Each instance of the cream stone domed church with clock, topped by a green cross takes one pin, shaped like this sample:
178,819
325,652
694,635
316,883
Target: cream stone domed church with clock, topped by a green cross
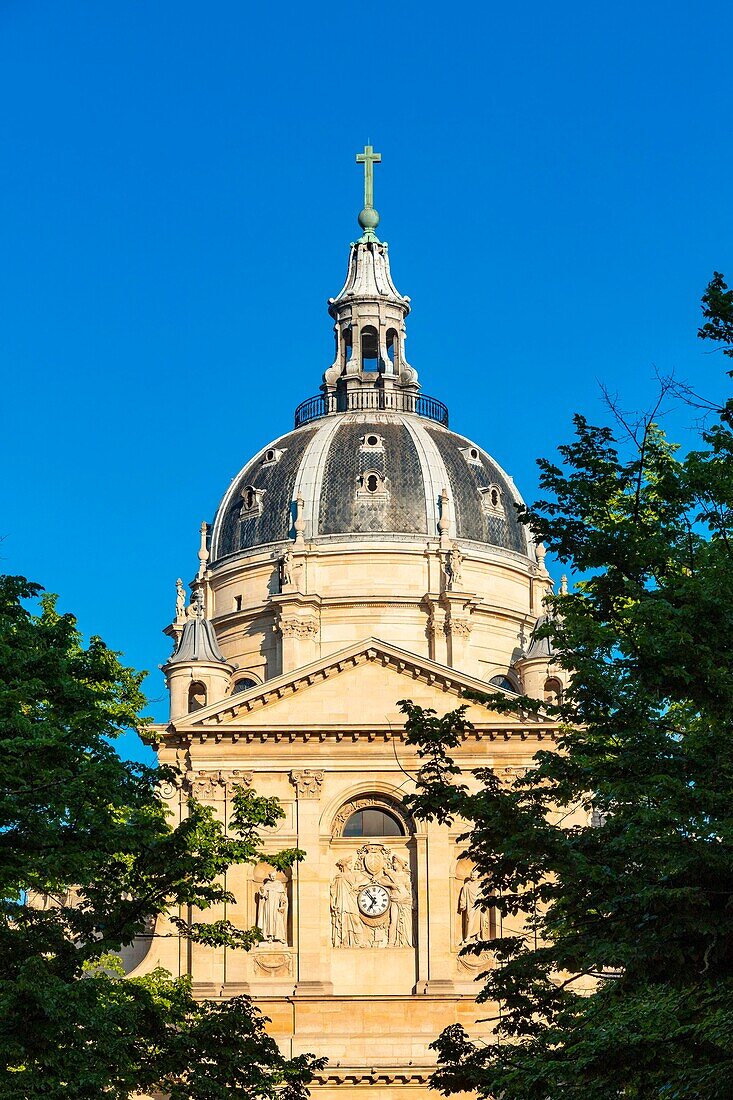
371,554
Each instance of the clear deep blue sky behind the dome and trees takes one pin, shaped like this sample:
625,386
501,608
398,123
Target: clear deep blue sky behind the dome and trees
179,193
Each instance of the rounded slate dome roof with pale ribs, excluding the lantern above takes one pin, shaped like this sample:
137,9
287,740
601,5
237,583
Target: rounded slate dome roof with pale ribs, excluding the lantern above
369,476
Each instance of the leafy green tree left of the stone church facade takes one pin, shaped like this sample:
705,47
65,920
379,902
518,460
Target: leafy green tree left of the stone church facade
87,855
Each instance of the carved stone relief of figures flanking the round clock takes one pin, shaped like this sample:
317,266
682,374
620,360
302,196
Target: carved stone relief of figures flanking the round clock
373,900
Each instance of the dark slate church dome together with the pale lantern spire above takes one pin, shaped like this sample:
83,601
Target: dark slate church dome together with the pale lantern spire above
371,457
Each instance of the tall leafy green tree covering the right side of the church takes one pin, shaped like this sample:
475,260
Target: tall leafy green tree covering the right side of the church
621,982
